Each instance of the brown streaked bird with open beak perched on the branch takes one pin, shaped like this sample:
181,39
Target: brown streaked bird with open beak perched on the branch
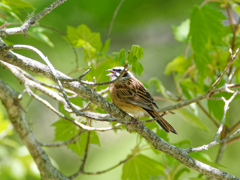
130,95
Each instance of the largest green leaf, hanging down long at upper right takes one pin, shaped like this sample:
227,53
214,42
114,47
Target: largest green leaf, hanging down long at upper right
205,26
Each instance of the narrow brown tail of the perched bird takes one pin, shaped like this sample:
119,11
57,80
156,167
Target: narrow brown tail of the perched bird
162,122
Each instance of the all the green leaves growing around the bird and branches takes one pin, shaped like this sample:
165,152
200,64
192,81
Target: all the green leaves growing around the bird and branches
207,43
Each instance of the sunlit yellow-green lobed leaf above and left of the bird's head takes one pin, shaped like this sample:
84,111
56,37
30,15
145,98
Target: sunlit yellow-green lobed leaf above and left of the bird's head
83,37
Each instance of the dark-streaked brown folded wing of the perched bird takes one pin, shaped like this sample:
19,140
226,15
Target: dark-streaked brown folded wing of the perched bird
134,92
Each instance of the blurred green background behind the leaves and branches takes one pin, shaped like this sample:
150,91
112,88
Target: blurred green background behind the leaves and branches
145,23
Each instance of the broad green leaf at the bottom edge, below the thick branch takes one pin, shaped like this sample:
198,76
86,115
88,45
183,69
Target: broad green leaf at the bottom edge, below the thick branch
141,168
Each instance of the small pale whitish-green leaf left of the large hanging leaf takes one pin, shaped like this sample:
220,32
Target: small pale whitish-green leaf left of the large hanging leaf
181,32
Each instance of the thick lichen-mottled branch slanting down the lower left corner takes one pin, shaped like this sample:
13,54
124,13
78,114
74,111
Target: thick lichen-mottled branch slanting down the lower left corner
9,98
